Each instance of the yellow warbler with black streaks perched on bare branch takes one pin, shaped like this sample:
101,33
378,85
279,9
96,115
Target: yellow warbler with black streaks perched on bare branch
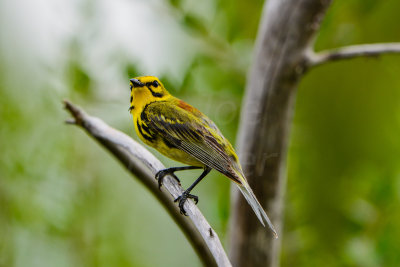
183,133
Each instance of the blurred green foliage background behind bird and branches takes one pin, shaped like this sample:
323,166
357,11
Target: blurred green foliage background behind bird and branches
65,202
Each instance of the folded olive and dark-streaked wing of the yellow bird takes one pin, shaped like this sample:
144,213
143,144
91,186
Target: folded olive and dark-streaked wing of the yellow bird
191,133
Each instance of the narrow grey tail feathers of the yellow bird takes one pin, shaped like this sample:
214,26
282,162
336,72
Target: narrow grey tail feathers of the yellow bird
255,205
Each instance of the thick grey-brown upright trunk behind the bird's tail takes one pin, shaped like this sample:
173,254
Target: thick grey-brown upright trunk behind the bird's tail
284,38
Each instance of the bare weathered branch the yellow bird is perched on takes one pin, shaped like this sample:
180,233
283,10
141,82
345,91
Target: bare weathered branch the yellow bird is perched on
144,165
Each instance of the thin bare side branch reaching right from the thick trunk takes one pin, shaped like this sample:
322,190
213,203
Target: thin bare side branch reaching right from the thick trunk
353,51
